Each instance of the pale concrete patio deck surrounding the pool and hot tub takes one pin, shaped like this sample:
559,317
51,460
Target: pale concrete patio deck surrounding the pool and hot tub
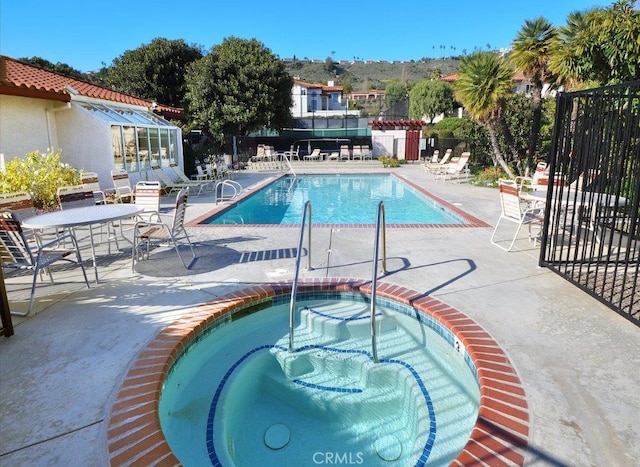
575,357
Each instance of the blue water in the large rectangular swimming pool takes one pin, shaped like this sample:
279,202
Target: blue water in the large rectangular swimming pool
337,199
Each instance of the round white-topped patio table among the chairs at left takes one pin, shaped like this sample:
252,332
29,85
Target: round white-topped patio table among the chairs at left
82,216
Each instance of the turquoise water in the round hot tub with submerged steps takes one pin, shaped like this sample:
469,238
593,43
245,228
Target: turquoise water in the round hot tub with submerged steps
239,397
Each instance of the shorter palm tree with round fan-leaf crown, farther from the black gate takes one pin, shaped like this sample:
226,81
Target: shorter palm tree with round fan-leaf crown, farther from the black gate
485,81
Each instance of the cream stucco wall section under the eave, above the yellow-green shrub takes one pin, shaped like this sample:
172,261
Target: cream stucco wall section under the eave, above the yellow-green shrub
25,125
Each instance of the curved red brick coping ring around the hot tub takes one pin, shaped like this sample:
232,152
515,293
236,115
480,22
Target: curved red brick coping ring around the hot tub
500,436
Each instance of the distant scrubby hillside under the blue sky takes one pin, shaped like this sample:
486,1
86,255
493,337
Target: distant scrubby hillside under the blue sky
376,73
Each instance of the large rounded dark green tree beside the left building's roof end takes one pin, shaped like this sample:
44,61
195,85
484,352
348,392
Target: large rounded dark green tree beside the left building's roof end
239,87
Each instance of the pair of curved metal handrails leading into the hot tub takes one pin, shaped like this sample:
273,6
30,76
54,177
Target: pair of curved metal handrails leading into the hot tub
380,230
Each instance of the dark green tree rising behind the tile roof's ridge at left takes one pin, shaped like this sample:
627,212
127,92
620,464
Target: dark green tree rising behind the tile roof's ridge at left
155,71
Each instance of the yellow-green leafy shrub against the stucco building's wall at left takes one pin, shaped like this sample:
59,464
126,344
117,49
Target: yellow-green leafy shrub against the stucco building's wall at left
39,174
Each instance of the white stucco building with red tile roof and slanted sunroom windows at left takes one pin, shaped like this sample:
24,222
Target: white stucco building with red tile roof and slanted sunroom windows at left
96,128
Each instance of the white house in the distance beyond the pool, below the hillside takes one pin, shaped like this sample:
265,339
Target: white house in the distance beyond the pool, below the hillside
318,100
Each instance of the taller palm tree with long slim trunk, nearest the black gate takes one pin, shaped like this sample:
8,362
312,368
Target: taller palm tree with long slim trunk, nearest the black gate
531,52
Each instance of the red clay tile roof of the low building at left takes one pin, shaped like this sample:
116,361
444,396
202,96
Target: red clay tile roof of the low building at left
23,79
